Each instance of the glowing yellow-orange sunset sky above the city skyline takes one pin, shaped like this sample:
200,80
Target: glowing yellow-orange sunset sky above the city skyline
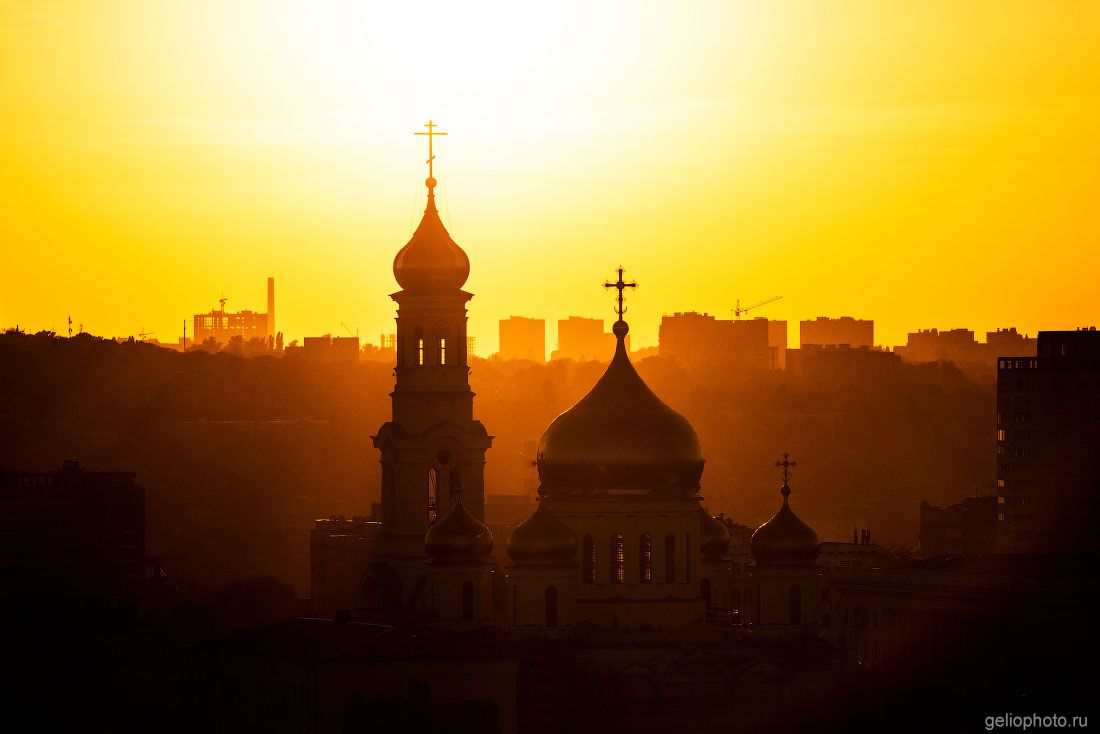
932,163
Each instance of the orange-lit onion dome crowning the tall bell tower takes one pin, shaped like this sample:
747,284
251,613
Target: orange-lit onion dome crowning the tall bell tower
432,261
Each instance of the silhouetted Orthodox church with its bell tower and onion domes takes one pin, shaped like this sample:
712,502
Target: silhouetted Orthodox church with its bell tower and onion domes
621,539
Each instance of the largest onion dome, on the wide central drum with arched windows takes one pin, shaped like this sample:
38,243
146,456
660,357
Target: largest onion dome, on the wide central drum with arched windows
621,436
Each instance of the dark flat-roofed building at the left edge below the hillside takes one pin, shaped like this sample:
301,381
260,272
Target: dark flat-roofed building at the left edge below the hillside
72,532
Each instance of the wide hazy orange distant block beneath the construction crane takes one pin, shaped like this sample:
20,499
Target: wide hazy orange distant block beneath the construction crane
697,339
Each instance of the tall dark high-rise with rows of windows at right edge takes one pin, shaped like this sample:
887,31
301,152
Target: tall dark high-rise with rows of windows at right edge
1049,446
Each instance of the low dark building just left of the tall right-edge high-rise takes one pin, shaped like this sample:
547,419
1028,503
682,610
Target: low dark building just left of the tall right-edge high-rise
967,529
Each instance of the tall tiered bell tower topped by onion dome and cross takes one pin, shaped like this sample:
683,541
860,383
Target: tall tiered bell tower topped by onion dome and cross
433,446
